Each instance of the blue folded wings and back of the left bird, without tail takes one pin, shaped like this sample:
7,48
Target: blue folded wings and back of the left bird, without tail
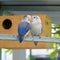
23,28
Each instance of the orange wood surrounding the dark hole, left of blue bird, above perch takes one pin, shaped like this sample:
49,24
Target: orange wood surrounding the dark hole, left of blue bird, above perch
15,21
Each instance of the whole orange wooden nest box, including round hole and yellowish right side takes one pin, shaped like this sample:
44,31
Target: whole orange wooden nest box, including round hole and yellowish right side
9,25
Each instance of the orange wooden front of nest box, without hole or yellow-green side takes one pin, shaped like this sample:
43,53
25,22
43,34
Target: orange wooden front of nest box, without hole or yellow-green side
13,30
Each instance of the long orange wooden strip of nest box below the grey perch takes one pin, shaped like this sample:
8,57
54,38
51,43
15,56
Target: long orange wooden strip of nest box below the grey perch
24,45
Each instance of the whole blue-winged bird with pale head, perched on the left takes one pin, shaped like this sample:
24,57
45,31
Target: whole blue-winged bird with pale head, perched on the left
24,27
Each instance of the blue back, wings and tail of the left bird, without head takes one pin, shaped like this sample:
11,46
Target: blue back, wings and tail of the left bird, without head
23,28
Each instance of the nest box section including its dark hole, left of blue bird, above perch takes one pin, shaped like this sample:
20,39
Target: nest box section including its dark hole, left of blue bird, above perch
9,24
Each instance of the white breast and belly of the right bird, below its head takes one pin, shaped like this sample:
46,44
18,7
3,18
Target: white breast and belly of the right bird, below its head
36,29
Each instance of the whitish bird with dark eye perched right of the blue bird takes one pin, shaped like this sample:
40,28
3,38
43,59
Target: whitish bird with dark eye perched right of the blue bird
36,27
